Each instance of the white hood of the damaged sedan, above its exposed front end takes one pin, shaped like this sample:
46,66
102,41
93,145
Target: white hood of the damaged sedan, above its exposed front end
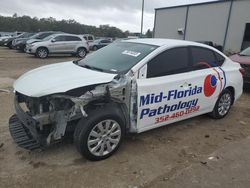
58,78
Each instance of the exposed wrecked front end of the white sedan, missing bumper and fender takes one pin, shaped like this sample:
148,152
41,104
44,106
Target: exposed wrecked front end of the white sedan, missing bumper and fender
39,122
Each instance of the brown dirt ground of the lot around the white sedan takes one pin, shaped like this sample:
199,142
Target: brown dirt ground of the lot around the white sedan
198,152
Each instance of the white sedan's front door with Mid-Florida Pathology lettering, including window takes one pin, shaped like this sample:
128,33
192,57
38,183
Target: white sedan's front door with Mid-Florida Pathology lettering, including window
172,90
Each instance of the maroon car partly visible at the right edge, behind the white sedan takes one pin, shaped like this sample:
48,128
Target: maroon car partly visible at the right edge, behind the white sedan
244,59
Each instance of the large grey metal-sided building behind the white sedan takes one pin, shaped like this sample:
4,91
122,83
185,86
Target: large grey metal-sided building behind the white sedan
225,23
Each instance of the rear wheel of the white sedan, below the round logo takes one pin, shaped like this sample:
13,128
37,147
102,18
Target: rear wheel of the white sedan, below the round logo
223,105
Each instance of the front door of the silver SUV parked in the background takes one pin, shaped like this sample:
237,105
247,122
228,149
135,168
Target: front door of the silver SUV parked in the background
57,44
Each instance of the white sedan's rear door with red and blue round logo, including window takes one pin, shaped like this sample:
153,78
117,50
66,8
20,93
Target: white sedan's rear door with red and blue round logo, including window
208,74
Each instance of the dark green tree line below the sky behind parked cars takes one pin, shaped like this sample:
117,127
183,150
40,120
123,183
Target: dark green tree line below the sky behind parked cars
28,24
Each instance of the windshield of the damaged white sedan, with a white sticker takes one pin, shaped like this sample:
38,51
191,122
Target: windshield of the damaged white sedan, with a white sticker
118,57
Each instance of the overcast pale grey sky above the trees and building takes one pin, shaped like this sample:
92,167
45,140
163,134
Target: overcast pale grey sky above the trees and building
124,14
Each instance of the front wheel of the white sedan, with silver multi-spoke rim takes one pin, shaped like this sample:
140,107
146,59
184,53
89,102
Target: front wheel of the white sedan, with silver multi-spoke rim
103,128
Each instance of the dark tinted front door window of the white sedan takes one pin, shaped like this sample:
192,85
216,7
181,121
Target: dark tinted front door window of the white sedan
172,61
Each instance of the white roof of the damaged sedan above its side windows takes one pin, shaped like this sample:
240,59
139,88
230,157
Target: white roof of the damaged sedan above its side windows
165,42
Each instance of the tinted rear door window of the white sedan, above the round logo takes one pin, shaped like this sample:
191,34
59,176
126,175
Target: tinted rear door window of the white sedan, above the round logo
202,58
